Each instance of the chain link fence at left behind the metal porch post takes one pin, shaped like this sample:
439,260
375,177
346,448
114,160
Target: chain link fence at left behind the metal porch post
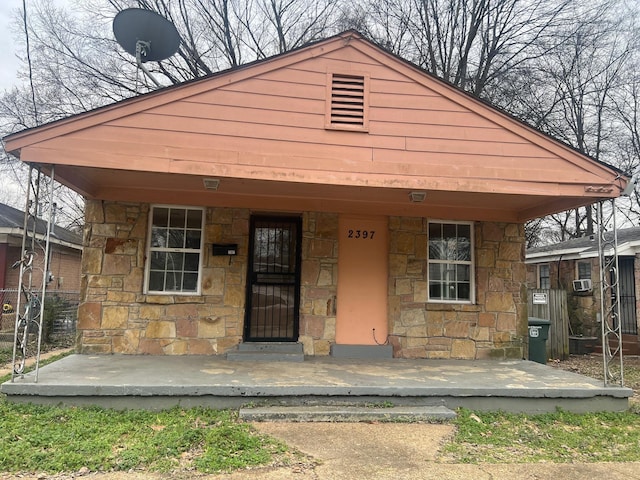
59,320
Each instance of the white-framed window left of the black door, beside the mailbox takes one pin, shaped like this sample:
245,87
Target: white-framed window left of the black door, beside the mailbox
175,250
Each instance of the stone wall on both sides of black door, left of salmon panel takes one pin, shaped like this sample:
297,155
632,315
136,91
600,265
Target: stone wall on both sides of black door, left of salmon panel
116,317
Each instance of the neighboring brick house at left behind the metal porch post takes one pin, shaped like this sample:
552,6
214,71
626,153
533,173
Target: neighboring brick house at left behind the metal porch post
65,252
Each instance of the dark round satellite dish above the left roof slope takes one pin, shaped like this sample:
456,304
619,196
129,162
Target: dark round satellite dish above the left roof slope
146,35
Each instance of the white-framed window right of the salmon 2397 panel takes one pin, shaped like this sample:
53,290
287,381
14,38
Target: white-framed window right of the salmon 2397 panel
450,266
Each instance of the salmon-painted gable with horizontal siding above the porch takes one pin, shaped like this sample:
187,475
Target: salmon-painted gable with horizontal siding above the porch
262,130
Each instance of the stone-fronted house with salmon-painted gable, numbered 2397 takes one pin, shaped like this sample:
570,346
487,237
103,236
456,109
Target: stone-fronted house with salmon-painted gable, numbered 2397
334,196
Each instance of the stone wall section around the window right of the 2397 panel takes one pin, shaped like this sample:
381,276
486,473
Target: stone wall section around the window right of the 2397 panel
495,327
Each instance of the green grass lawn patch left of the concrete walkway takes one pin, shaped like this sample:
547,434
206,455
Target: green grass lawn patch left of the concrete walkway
52,439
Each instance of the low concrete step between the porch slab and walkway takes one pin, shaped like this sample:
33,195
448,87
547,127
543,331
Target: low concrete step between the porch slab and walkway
325,413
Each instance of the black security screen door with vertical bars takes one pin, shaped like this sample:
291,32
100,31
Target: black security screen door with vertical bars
273,287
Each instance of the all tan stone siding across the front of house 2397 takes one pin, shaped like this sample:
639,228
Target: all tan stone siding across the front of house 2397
115,315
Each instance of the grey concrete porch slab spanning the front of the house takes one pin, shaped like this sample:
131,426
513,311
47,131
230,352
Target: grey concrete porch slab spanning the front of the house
155,382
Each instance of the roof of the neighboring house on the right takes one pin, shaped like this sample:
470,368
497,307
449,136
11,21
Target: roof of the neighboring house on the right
585,247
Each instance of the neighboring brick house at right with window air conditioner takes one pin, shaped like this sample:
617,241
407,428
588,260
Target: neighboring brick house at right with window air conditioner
573,266
